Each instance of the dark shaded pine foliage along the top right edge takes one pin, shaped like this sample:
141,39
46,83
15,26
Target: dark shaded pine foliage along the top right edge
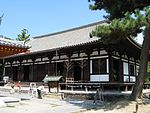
117,8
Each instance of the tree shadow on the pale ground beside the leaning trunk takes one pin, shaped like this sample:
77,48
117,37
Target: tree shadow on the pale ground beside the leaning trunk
114,103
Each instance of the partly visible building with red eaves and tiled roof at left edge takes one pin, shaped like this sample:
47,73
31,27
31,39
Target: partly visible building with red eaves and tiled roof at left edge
9,48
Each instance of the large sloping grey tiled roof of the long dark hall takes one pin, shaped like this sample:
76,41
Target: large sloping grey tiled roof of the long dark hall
72,37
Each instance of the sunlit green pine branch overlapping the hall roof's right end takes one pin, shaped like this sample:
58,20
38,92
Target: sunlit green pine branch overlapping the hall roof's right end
120,29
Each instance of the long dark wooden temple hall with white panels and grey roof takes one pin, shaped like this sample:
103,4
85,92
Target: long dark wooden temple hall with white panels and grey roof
75,56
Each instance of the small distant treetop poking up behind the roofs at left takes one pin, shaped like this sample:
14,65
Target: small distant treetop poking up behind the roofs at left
24,36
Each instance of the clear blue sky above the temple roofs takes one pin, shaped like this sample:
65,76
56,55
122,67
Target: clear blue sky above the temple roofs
41,17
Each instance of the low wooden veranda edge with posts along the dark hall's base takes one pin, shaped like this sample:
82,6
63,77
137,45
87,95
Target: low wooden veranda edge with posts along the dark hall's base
93,86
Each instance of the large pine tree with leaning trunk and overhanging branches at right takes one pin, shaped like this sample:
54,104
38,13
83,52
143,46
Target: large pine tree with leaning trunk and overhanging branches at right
122,25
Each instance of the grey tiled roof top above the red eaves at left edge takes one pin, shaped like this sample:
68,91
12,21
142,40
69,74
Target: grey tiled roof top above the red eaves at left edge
12,43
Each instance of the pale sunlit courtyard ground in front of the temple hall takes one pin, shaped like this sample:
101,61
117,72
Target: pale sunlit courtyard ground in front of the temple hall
24,103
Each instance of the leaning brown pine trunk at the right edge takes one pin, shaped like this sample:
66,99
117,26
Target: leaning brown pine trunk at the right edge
138,87
